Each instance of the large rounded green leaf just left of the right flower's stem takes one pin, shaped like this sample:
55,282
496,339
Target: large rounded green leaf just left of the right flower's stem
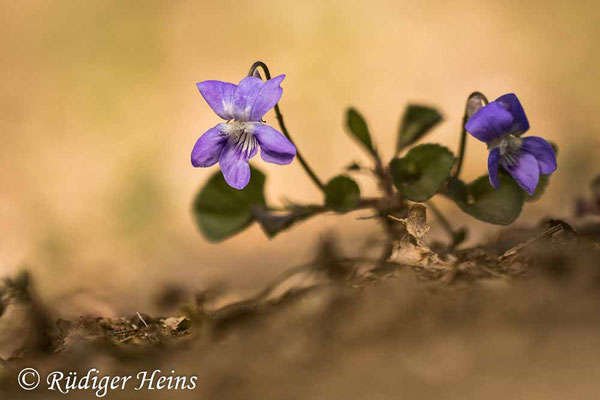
420,174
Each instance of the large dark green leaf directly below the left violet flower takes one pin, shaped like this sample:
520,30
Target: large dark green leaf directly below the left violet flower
222,211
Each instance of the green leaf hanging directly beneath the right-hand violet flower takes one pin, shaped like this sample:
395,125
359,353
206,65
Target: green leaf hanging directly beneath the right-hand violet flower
480,200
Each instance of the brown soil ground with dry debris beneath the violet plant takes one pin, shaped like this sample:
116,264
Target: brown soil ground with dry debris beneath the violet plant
515,319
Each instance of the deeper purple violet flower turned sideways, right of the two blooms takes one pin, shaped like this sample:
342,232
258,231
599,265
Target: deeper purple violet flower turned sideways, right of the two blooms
500,124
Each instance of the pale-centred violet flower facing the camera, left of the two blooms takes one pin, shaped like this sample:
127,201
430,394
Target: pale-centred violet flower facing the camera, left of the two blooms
233,143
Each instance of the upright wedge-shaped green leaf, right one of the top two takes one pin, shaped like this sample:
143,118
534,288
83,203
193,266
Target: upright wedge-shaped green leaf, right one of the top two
416,122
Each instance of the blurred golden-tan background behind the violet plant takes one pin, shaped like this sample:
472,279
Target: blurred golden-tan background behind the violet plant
99,112
